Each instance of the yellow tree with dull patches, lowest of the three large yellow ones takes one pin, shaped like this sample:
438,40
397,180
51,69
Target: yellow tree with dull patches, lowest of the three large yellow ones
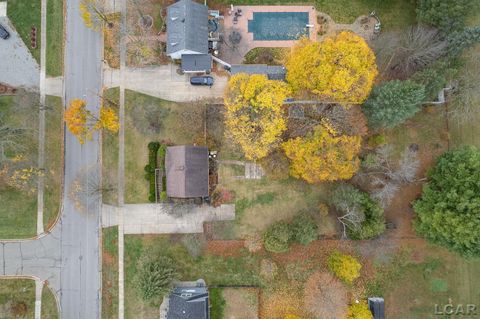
323,155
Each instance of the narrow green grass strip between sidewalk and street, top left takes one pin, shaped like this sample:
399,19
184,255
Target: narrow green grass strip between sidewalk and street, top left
55,37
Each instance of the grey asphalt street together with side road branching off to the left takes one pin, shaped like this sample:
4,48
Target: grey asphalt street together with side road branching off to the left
69,256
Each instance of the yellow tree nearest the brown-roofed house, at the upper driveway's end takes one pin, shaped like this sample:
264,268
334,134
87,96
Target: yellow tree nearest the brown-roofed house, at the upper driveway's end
254,115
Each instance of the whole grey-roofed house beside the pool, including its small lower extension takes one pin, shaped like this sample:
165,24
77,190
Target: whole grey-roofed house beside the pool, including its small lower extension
187,35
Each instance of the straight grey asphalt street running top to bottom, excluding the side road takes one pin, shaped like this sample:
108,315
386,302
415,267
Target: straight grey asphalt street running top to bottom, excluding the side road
80,279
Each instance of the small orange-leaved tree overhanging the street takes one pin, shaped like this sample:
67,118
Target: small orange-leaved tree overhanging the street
82,123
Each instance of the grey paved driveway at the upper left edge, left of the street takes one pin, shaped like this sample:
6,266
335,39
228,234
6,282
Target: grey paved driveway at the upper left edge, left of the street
17,66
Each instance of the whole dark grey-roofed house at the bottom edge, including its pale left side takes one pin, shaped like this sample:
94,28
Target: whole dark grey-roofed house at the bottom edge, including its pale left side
188,300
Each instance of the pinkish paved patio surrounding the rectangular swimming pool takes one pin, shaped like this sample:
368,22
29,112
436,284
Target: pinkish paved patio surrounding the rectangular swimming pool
238,40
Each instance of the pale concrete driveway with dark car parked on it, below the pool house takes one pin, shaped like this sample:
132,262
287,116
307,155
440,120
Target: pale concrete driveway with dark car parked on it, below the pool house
163,82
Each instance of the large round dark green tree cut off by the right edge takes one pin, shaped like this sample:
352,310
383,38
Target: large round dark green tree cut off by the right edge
448,212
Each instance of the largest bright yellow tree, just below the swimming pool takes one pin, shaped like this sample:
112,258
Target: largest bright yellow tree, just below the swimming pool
340,68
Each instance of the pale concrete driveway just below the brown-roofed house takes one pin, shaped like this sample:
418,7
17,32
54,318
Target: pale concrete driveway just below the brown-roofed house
165,218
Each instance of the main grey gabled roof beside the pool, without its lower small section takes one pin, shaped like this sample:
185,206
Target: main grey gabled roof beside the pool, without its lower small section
187,27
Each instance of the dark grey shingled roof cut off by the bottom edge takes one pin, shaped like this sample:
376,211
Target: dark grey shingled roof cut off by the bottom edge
188,303
